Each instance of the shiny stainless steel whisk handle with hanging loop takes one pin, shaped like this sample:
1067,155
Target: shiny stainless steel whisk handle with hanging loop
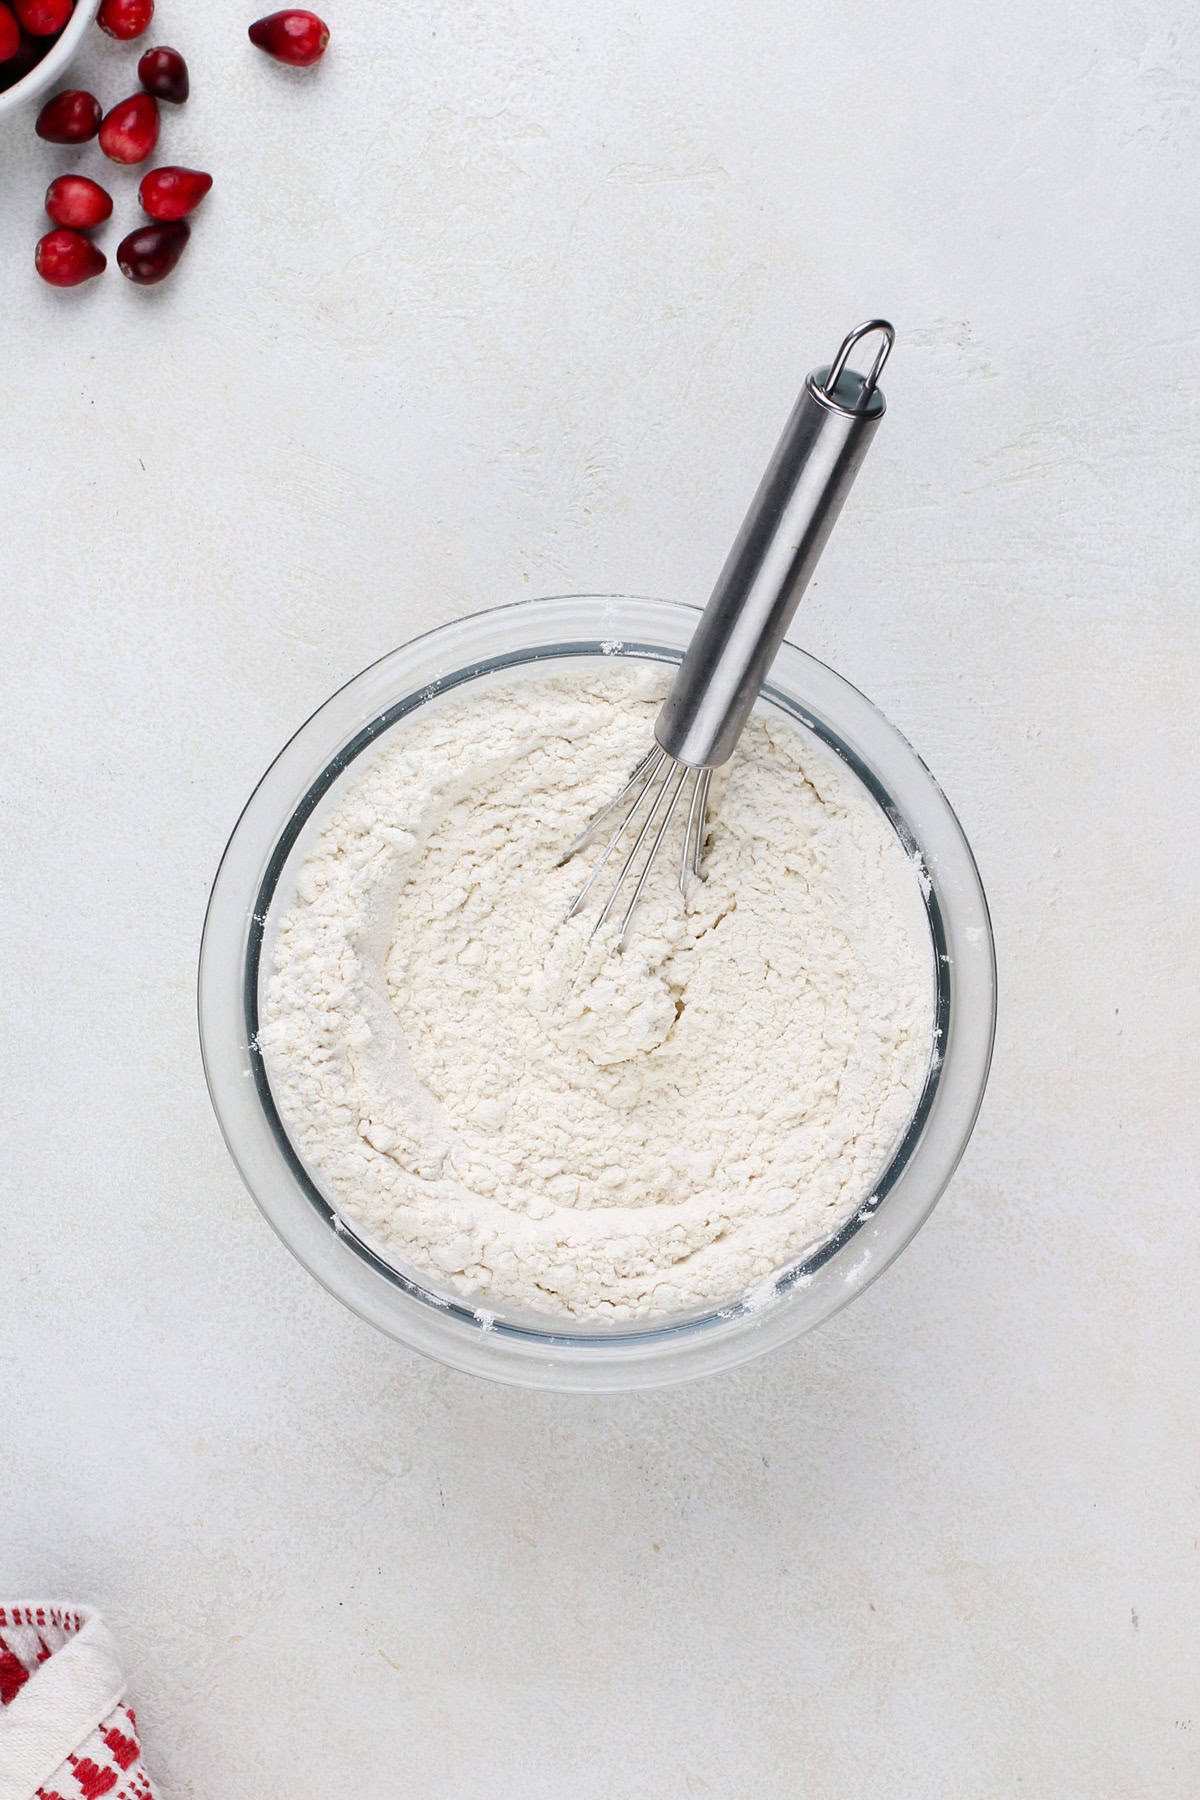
773,559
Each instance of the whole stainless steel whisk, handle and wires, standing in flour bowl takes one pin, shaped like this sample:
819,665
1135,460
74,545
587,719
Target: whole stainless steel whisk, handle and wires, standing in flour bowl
742,627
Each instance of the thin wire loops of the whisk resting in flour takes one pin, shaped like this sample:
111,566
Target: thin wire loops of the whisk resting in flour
645,807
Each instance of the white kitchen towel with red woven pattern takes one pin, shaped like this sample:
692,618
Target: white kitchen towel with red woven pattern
66,1732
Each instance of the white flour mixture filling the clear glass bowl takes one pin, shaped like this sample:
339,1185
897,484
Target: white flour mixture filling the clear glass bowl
550,1126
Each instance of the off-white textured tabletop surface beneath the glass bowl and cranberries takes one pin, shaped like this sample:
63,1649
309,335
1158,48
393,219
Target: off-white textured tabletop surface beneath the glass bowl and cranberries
514,300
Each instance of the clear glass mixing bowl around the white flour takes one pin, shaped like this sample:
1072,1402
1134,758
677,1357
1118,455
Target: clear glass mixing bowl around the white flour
255,888
